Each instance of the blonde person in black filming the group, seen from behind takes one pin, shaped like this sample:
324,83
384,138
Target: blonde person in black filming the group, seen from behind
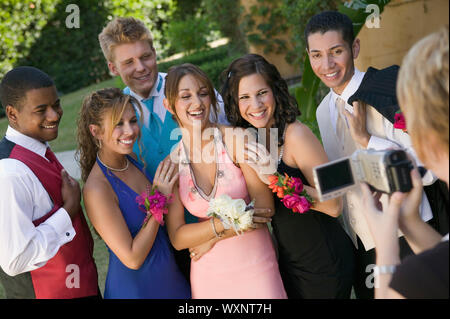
423,93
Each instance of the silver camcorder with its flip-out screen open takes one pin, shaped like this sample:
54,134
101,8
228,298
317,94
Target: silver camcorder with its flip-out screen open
386,171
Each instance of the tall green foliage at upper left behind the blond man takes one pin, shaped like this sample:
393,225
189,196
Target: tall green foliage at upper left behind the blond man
35,33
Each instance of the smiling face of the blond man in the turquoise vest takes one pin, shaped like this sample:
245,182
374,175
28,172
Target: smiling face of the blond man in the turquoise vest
135,63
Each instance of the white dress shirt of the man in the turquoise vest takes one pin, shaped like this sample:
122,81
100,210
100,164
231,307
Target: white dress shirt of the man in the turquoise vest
160,110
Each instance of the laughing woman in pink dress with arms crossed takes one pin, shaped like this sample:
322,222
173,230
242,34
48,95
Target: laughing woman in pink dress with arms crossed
224,265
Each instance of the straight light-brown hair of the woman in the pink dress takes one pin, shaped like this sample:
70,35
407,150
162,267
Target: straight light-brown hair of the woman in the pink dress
173,78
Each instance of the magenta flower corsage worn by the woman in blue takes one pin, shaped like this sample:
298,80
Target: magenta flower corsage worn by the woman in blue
154,203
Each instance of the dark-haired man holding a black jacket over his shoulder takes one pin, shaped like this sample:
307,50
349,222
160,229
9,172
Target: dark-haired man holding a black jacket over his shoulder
357,114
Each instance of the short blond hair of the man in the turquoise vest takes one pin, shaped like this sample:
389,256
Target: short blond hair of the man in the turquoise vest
122,30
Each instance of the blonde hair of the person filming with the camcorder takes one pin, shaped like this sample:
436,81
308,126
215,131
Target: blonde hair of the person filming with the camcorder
423,90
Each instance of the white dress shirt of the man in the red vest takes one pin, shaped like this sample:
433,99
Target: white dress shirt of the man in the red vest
23,199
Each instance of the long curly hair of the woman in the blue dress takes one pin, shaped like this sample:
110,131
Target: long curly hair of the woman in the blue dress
93,110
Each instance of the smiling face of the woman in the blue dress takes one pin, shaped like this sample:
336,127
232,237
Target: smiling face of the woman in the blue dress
119,138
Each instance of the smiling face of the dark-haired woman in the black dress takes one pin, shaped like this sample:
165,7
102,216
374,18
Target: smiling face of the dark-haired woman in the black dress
256,101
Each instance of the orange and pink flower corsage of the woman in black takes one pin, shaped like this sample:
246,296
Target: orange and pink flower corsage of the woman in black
291,192
